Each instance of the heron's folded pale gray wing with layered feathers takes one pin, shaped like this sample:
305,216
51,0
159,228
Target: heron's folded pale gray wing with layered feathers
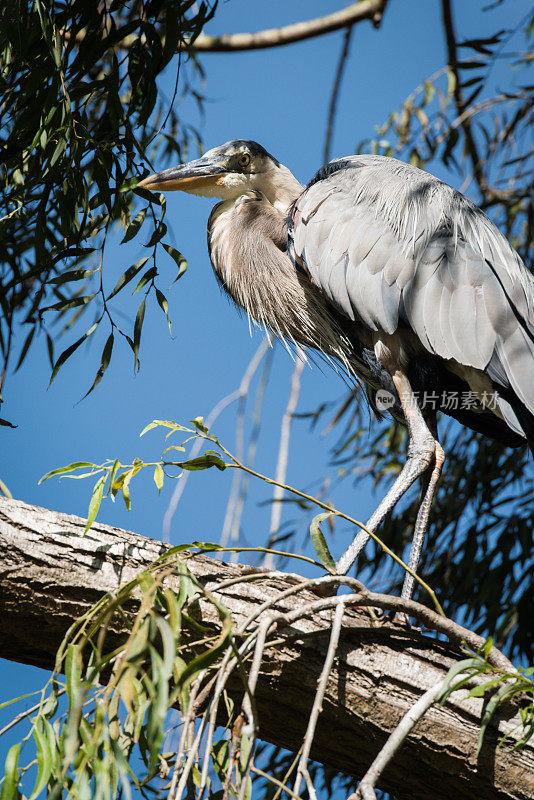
391,244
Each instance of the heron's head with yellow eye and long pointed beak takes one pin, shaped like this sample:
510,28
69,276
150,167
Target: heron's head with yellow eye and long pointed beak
227,172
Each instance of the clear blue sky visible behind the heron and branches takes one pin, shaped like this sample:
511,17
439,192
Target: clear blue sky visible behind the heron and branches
280,99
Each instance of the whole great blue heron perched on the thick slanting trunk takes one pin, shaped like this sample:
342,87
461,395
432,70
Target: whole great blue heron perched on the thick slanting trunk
394,274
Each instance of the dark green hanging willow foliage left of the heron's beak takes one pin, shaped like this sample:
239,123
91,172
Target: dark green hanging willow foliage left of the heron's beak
78,122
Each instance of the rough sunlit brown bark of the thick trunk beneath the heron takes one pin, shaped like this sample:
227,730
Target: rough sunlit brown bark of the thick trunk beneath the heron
50,574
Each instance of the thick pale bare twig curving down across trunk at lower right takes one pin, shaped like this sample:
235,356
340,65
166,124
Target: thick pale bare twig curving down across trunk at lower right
365,790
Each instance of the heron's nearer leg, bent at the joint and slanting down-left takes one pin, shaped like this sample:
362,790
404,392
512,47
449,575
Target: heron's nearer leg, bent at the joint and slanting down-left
421,454
